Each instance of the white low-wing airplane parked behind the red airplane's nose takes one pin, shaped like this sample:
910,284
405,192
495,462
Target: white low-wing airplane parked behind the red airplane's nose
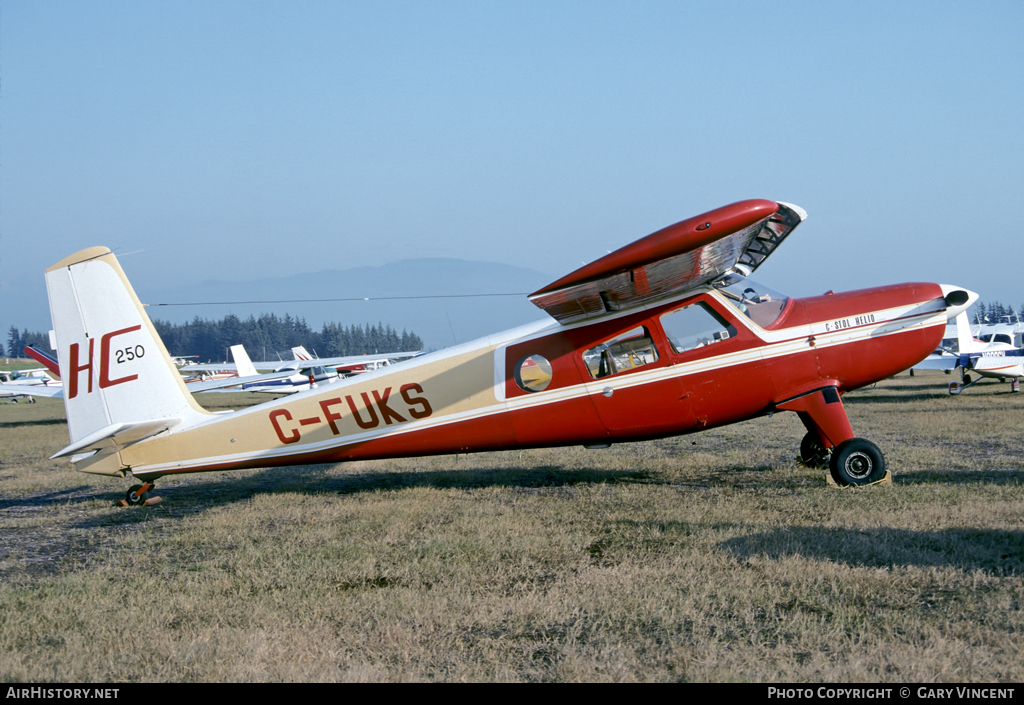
995,359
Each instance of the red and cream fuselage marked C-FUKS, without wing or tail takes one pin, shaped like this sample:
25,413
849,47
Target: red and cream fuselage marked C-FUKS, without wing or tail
645,374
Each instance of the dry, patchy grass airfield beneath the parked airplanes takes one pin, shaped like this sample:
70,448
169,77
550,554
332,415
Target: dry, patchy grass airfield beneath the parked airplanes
714,557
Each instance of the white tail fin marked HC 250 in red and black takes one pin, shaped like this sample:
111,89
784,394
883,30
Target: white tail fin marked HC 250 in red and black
120,385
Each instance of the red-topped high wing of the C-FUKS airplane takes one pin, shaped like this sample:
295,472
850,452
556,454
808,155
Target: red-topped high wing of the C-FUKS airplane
672,261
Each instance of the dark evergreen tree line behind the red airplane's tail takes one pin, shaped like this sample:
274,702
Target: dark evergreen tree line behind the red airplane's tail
264,338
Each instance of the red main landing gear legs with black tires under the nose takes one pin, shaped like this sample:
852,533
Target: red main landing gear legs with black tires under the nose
830,439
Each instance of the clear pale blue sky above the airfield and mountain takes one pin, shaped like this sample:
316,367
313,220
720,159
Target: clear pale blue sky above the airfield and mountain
238,141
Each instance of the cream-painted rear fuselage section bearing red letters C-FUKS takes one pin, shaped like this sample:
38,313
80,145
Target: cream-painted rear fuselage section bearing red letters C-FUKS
437,390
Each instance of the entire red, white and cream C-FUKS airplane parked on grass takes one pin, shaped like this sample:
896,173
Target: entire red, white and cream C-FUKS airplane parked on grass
665,337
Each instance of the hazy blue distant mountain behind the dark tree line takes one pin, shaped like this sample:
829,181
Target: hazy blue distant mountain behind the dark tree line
440,322
